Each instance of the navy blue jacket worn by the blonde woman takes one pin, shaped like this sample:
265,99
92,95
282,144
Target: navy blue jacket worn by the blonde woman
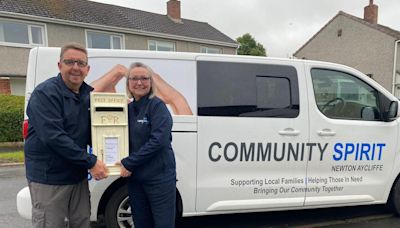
151,158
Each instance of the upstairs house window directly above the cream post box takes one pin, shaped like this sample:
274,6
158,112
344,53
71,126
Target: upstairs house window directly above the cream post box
104,40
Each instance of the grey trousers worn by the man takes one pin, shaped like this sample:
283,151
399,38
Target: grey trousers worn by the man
60,205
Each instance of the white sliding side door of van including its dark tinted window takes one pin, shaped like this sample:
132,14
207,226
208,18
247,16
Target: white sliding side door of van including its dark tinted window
252,136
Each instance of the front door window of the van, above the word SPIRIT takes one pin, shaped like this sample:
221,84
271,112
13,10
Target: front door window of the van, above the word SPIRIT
343,96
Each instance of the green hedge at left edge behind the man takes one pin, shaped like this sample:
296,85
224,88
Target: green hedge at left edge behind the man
11,118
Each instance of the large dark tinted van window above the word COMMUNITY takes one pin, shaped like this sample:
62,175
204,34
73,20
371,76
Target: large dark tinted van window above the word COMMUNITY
247,90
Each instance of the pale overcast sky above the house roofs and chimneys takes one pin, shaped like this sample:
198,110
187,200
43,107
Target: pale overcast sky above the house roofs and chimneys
281,26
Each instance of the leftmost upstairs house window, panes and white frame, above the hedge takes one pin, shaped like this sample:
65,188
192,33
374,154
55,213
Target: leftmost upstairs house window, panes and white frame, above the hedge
17,33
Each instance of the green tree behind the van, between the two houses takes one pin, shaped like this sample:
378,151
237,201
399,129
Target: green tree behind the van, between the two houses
249,46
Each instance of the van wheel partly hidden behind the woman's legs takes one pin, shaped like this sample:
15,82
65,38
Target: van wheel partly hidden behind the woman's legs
118,211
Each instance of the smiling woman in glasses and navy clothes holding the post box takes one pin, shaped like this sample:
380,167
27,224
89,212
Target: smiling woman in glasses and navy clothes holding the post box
151,162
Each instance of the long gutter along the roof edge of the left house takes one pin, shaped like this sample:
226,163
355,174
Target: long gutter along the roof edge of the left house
115,29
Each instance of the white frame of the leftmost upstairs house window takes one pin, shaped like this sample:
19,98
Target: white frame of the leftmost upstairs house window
29,26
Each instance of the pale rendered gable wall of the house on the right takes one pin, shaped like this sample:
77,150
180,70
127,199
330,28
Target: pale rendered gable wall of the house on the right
354,42
